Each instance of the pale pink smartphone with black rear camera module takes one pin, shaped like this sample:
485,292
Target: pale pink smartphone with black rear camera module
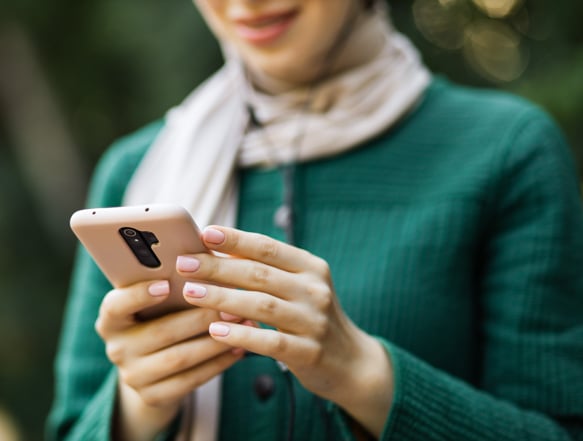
140,243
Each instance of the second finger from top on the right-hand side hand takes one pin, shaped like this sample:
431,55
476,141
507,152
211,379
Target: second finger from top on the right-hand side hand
241,273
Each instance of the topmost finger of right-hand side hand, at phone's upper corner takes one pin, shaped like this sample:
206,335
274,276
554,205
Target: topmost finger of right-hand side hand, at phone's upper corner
261,248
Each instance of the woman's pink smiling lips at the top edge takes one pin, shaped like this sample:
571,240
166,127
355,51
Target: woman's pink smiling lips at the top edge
266,28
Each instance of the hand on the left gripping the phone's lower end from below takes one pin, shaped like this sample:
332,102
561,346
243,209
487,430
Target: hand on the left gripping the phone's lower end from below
159,361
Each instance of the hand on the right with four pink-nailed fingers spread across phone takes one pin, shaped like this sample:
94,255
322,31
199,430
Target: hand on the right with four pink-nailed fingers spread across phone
290,289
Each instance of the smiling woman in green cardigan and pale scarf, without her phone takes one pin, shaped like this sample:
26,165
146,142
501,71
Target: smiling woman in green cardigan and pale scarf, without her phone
449,219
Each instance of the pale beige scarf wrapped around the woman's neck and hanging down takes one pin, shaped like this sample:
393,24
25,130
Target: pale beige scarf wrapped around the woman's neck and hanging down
204,140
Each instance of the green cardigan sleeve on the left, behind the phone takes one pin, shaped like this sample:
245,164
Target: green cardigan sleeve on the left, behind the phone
86,383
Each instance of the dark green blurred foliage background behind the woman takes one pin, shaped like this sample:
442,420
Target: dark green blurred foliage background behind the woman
76,75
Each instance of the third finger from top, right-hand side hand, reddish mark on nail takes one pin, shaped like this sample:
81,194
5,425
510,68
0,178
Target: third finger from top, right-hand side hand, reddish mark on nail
253,305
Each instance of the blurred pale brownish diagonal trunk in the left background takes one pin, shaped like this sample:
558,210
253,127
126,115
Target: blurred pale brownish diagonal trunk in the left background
42,143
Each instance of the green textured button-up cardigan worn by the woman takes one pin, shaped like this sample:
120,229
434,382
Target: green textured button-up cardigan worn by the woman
456,238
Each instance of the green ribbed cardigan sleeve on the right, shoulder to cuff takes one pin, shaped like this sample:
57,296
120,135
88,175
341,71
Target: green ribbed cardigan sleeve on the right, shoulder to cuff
531,312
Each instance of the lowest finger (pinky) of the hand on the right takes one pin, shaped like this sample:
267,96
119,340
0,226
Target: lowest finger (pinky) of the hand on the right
290,349
